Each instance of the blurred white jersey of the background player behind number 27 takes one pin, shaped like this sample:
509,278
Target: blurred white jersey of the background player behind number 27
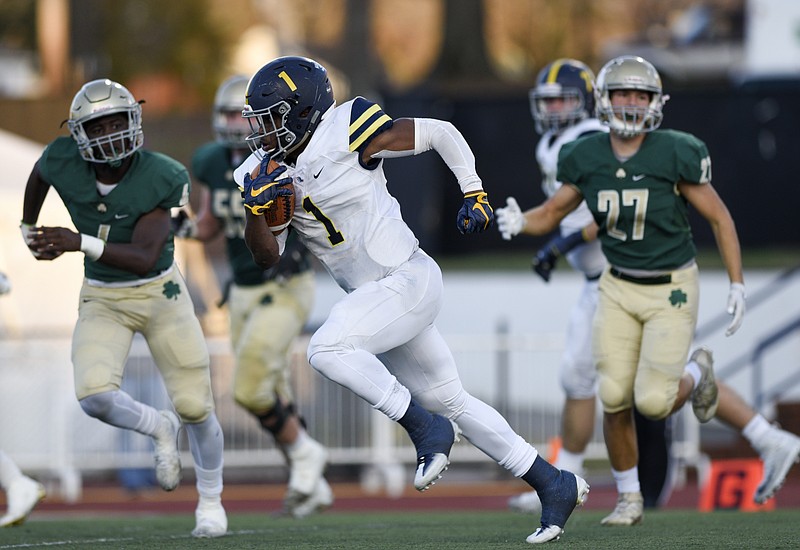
547,156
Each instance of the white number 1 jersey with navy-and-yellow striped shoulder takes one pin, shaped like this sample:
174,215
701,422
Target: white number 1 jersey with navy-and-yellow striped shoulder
344,213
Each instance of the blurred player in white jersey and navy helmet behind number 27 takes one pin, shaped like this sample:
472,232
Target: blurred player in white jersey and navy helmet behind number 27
562,105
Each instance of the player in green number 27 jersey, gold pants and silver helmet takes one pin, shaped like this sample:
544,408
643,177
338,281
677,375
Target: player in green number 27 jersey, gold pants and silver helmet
638,181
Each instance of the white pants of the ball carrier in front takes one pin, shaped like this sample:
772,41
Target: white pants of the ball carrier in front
393,319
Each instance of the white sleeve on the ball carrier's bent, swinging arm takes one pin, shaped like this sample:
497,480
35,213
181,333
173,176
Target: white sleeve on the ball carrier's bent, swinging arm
445,139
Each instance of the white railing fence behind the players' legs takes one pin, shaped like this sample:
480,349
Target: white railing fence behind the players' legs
47,433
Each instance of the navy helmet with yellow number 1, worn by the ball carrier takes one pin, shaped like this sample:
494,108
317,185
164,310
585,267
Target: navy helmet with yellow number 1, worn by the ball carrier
285,102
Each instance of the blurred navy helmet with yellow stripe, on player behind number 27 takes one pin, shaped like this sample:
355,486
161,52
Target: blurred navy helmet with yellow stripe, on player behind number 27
570,81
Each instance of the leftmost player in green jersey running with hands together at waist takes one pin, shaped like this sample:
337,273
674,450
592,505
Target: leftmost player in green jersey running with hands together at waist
119,198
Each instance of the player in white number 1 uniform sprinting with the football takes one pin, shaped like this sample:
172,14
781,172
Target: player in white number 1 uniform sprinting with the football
380,340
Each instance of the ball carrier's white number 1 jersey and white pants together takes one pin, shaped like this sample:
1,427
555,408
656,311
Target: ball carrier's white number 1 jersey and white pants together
380,340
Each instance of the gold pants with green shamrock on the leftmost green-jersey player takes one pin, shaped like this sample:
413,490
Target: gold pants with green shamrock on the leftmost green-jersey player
162,311
